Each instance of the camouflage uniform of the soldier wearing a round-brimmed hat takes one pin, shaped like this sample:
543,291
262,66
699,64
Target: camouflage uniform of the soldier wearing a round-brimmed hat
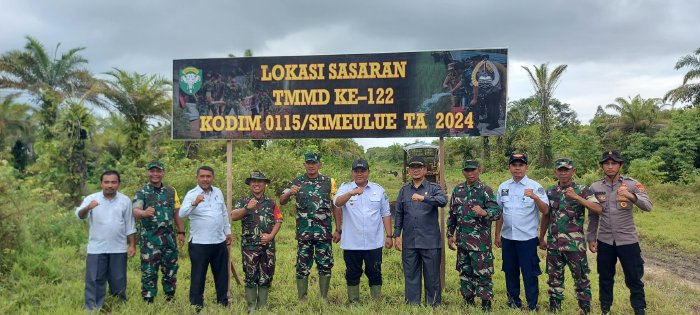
258,259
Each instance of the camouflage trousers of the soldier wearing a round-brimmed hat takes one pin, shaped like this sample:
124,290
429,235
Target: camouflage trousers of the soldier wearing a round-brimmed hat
258,264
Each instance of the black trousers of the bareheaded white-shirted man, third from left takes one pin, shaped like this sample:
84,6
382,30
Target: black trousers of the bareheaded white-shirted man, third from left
202,256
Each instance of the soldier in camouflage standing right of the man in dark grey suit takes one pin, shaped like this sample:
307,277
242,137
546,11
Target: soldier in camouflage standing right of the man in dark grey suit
473,207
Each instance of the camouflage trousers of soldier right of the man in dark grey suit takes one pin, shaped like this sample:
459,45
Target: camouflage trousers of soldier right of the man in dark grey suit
475,271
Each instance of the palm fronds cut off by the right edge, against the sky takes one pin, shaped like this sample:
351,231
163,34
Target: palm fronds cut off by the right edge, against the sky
687,92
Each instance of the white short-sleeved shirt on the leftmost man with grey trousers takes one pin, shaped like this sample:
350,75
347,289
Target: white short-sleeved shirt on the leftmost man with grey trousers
110,223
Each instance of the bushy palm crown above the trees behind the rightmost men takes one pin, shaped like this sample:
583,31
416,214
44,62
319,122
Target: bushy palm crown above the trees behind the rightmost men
636,114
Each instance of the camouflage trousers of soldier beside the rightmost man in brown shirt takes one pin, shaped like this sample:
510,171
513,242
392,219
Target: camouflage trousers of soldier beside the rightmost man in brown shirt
578,265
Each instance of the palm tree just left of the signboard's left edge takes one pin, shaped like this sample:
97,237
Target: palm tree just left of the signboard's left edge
139,98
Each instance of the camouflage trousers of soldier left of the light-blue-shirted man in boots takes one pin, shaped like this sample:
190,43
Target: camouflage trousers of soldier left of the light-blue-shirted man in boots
308,251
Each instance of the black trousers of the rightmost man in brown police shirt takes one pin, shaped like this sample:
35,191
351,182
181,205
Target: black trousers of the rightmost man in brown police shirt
632,265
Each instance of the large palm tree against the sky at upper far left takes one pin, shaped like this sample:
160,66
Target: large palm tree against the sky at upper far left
48,78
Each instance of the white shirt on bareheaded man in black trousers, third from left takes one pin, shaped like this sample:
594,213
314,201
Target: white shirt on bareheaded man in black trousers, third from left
209,223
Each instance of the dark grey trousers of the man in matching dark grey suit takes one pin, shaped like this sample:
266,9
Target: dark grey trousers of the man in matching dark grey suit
422,264
